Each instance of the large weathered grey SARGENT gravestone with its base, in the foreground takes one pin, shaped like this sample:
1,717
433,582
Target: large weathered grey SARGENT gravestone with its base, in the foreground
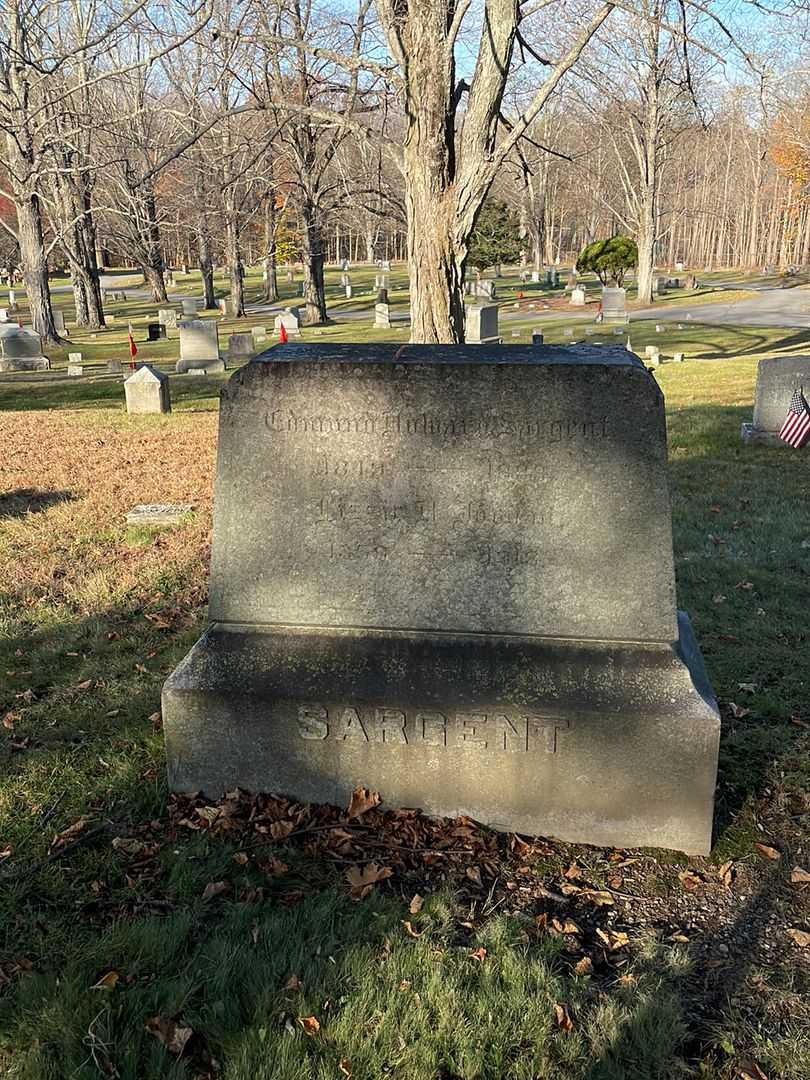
571,705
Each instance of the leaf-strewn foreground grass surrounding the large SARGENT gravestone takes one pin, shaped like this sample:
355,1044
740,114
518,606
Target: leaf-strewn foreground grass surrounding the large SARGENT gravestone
145,938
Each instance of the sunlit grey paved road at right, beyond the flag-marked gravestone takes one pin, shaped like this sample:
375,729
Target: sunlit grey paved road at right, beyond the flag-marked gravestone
769,307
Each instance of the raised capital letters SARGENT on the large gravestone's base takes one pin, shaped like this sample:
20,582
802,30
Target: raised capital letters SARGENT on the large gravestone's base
475,732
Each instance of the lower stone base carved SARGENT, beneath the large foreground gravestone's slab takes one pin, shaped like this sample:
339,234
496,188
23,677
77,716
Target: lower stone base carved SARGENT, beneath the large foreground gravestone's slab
604,744
